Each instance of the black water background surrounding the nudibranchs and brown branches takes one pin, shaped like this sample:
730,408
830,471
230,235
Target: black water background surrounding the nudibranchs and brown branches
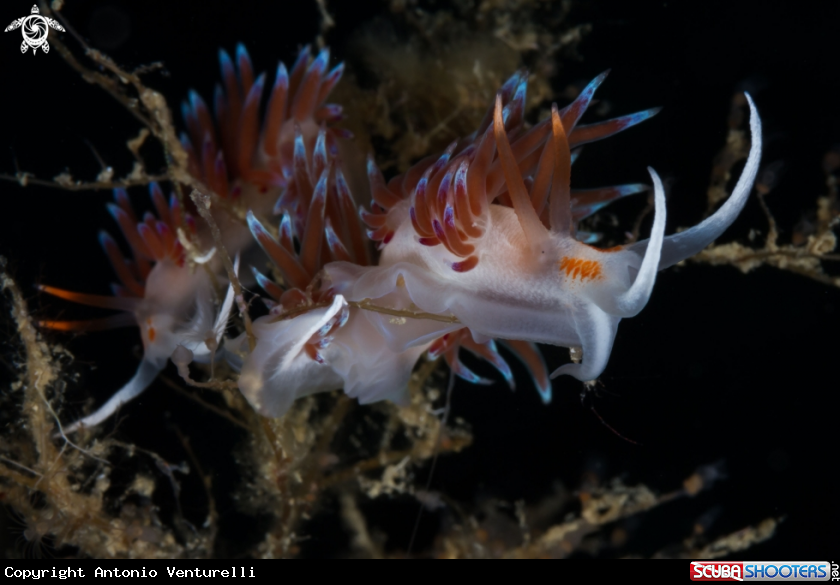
719,366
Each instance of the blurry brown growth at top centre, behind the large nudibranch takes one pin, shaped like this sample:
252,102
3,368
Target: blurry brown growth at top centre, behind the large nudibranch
468,48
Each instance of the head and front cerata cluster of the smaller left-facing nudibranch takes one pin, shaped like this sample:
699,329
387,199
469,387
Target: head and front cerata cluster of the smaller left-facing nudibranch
171,303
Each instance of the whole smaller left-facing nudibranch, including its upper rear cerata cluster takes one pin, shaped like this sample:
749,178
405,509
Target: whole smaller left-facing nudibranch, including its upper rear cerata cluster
244,164
